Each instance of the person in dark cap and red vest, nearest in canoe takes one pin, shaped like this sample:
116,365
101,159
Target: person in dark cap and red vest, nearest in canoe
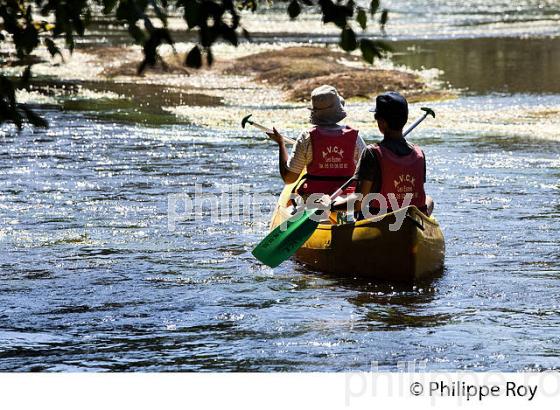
392,167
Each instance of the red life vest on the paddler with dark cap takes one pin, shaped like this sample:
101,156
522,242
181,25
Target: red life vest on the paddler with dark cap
401,175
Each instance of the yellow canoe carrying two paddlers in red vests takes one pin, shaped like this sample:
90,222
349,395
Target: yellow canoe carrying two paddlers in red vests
369,248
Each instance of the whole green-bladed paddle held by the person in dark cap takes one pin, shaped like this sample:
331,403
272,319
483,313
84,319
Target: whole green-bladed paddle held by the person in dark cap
287,238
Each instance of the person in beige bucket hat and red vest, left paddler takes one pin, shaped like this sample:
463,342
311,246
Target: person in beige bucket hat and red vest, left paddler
328,150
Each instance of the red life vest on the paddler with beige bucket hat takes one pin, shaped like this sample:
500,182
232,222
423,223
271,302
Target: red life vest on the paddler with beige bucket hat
333,160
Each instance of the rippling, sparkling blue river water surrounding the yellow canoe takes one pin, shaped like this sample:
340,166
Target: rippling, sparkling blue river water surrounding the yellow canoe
92,278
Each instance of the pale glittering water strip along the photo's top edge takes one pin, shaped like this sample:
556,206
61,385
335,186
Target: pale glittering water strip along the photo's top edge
412,19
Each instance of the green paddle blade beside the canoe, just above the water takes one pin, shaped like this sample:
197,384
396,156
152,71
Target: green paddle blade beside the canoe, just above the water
285,240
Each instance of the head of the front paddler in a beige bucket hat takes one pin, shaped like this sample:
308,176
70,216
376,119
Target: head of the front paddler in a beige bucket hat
327,106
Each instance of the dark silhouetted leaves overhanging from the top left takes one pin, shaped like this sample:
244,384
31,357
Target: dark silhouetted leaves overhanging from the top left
29,24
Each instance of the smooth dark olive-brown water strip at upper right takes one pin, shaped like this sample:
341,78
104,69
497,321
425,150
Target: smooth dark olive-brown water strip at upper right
484,65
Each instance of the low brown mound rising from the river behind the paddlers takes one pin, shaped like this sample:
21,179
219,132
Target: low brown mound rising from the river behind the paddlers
295,71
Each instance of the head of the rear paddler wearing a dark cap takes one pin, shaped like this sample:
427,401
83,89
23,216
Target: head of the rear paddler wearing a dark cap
391,112
